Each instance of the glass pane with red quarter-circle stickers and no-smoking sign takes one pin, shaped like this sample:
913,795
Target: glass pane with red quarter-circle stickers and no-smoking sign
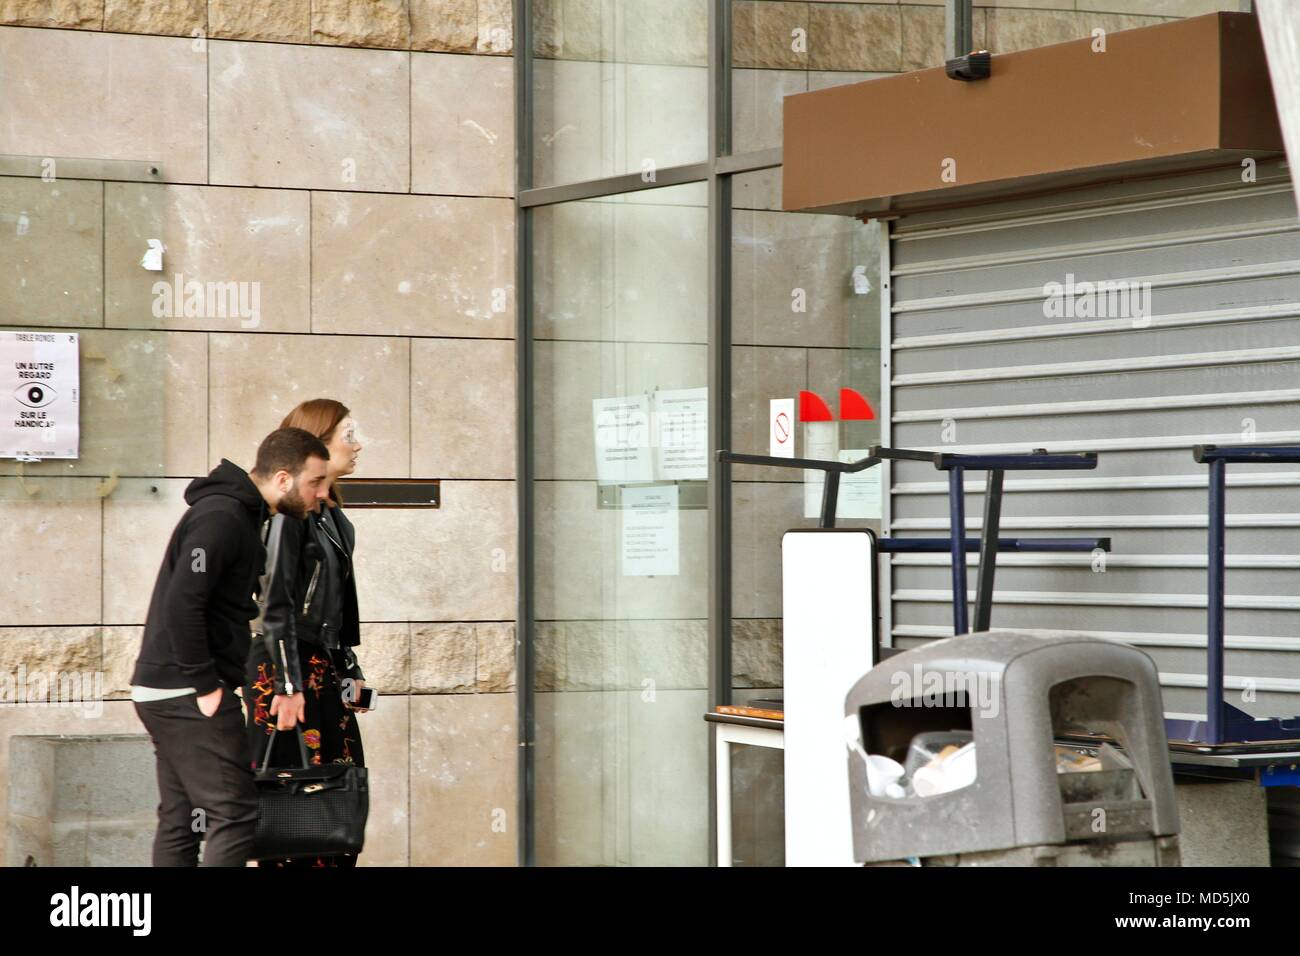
805,317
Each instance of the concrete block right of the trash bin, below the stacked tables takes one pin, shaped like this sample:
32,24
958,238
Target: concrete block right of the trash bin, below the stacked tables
1224,823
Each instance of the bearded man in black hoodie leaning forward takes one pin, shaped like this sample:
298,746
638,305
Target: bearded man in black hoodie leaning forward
197,643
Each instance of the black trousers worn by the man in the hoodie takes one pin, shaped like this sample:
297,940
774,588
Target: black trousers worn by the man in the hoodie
206,790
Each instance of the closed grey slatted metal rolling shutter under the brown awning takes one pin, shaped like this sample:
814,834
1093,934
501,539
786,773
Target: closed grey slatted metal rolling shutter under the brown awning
970,351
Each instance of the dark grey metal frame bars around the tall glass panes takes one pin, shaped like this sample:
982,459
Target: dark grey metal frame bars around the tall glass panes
717,172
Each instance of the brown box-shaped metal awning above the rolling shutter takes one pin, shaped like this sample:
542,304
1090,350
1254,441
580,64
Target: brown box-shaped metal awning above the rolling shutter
1181,96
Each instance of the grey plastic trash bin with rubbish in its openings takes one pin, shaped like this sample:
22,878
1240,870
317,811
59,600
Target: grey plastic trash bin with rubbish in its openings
1017,694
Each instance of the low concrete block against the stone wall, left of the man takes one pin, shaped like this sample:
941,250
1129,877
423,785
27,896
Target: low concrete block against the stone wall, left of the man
85,801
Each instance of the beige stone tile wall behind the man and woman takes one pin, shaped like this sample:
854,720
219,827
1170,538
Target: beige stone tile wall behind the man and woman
367,196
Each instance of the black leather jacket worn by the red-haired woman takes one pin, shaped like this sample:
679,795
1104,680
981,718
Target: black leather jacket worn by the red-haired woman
311,595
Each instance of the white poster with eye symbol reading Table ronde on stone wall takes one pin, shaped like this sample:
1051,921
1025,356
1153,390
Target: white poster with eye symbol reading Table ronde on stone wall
40,395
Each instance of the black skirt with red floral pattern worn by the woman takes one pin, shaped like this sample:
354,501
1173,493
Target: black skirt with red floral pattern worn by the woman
331,730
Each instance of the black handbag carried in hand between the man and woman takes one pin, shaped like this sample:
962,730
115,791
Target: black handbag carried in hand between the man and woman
310,811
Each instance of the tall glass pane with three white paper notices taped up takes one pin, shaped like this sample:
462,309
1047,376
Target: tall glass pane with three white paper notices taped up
622,530
